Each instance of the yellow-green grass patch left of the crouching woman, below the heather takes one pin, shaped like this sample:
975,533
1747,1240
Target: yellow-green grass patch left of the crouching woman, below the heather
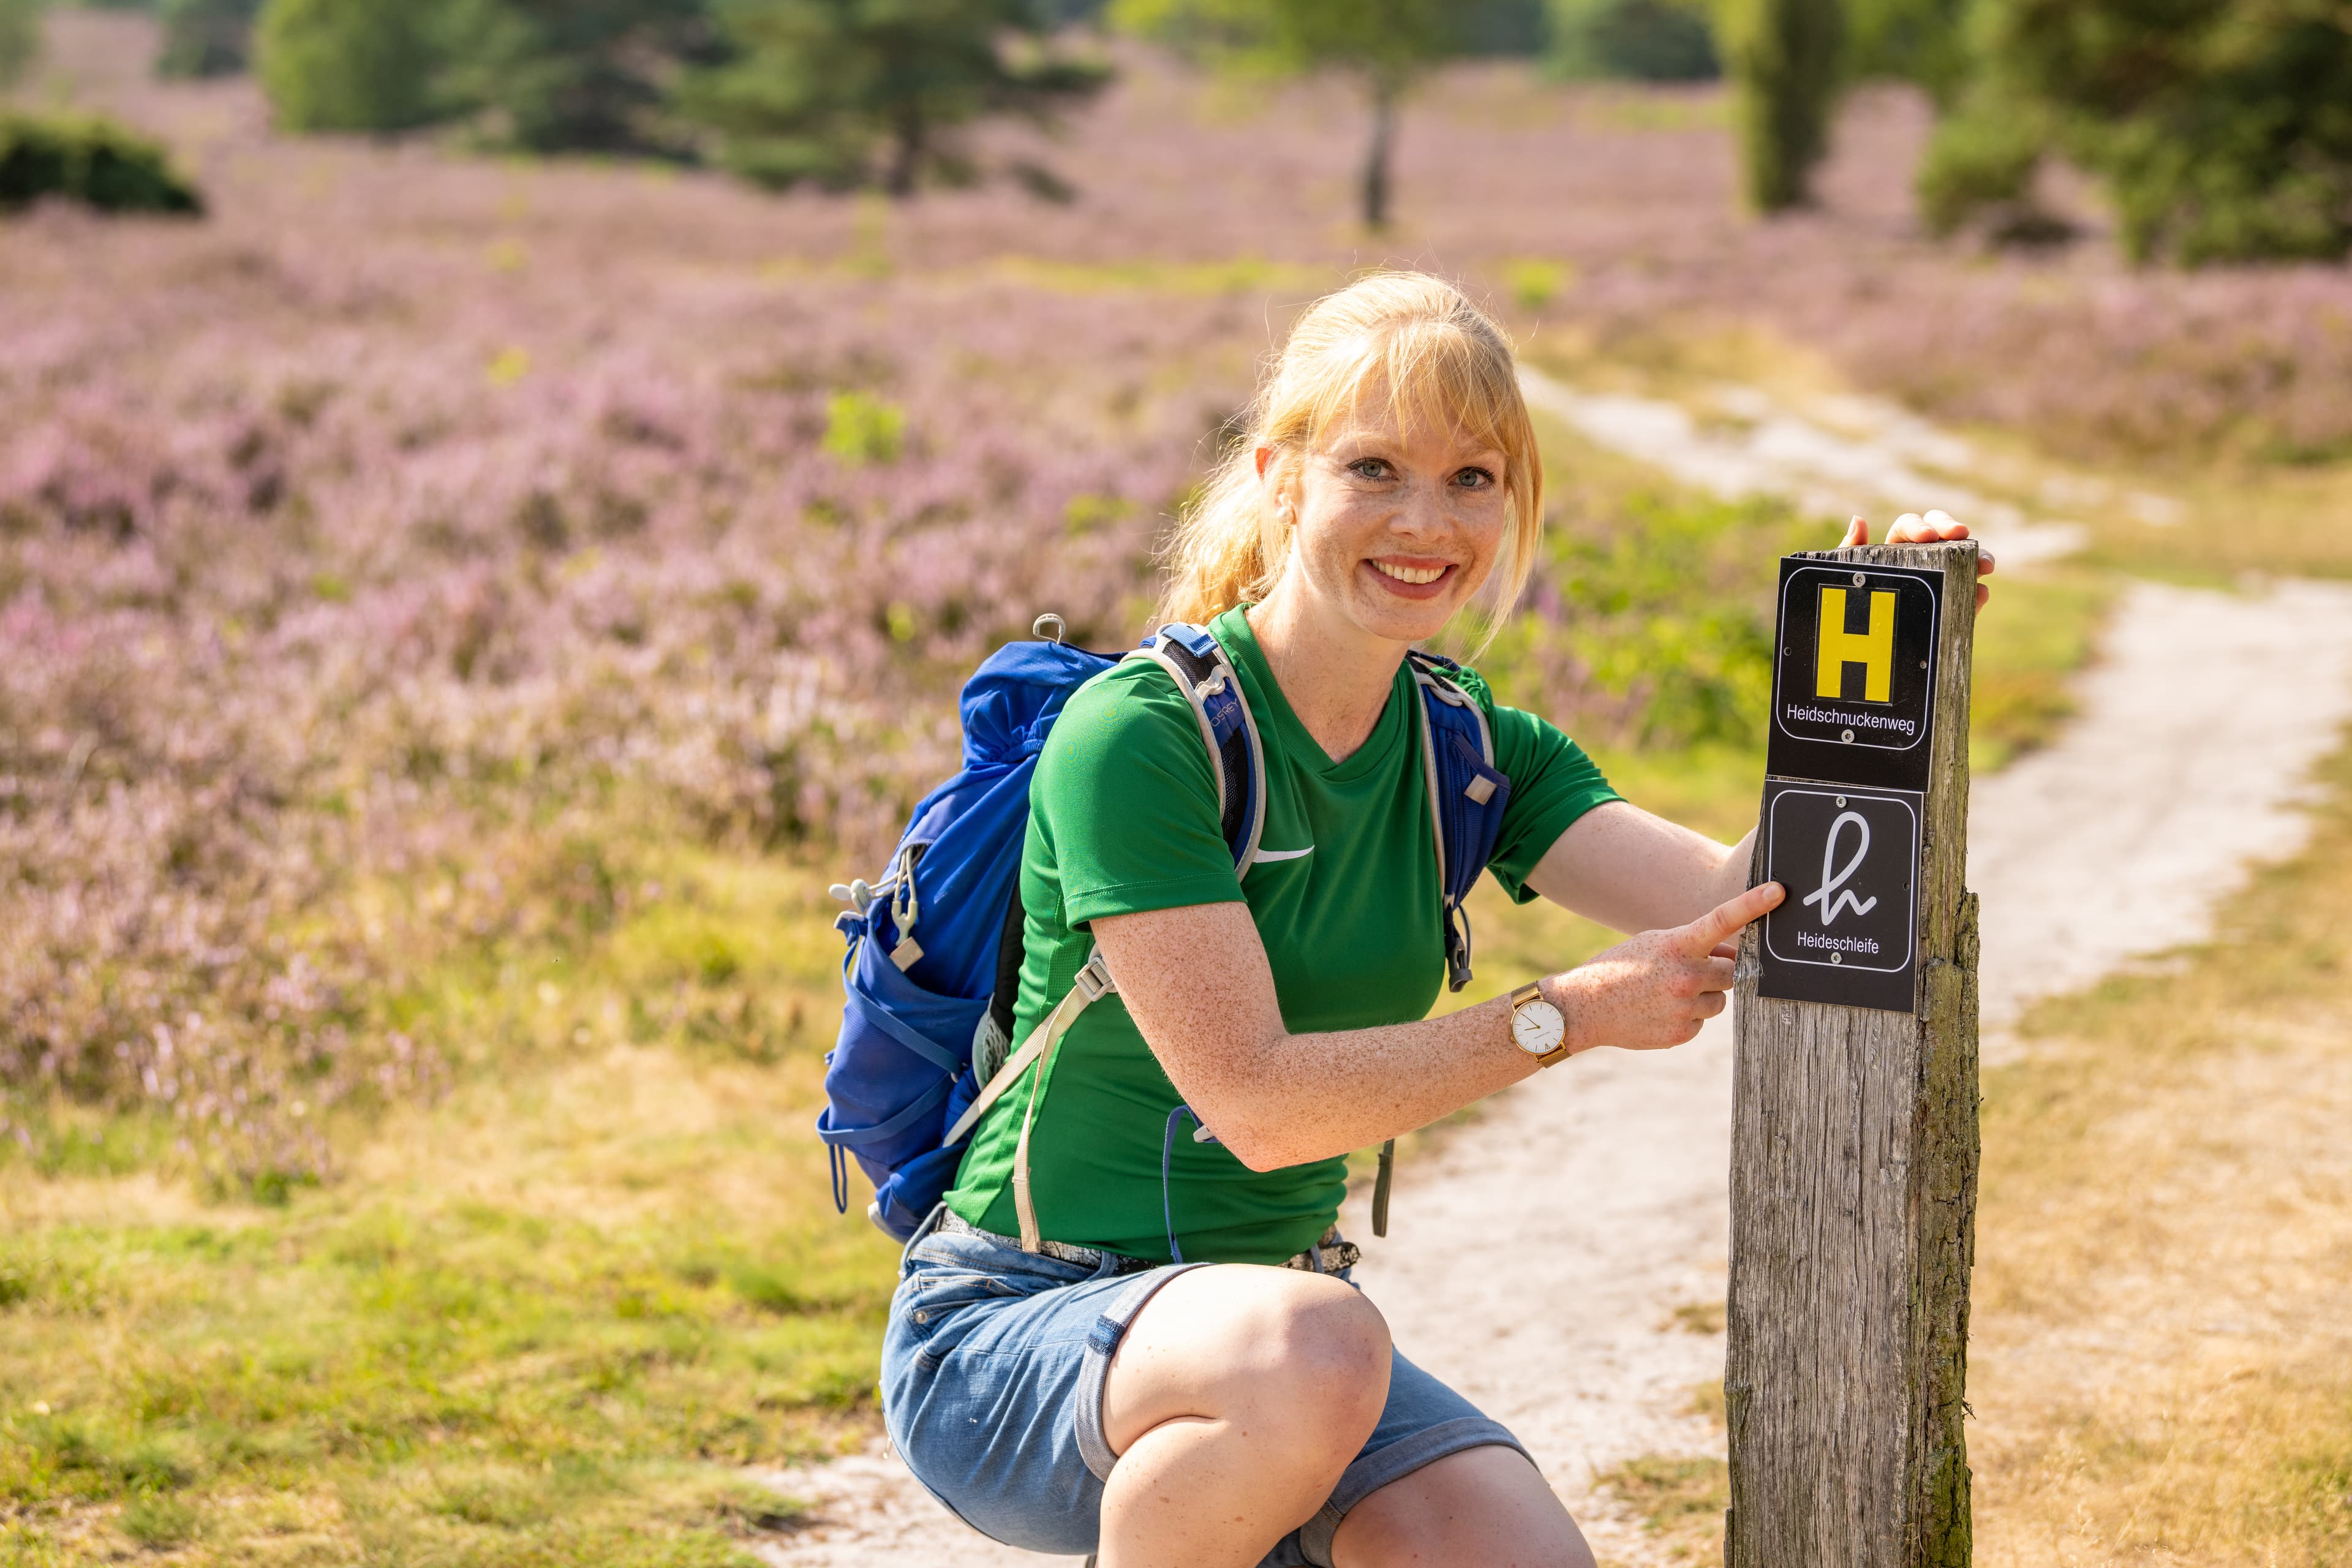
544,1320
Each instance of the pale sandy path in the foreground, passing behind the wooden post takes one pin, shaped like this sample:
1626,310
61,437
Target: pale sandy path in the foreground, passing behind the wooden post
1539,1257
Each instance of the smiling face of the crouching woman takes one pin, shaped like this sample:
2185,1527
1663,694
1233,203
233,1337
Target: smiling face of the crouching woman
1394,528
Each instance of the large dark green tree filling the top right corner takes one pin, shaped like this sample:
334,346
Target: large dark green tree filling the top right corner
2221,128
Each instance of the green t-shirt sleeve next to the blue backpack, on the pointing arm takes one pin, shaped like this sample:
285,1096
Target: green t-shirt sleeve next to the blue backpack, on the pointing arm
1128,803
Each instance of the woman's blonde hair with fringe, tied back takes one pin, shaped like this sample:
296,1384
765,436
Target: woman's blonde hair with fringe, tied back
1441,359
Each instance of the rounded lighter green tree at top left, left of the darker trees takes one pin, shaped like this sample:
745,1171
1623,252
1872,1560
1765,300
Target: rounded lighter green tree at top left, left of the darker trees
349,65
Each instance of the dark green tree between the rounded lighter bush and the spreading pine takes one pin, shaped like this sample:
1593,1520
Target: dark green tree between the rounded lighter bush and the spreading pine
573,74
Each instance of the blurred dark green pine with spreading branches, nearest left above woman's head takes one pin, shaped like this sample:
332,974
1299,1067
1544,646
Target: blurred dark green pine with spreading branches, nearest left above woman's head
876,91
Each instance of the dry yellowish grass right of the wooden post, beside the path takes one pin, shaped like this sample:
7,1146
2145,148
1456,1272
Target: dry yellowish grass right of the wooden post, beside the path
2163,1341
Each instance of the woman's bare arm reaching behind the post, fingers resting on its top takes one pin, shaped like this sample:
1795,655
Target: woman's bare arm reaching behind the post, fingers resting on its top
1633,871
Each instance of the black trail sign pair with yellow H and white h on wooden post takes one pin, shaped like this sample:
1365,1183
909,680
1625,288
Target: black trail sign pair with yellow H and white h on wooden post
1852,732
